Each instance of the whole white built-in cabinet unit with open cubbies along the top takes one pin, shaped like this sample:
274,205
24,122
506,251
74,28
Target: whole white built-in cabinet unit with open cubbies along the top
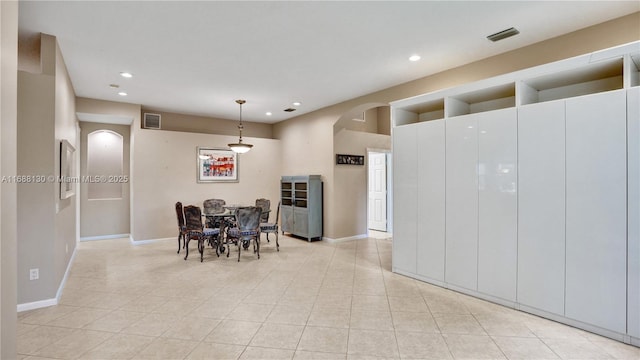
524,190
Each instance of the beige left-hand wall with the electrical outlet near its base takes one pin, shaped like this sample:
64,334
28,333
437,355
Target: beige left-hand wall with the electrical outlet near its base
46,224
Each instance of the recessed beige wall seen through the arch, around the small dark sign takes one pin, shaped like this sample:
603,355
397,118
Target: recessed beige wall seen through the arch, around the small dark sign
363,128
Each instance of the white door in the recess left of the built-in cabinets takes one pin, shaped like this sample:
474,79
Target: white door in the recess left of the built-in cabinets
377,191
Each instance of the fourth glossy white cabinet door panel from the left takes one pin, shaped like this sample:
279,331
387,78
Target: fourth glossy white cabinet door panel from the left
497,204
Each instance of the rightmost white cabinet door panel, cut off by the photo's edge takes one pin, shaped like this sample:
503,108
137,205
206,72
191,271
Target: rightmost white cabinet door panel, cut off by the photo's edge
633,145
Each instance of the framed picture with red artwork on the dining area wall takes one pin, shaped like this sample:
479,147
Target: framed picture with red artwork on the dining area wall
216,165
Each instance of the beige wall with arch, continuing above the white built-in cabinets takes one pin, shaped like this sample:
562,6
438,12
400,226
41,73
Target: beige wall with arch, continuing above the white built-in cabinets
316,158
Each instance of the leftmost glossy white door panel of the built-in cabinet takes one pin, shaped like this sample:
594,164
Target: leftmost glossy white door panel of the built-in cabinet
405,203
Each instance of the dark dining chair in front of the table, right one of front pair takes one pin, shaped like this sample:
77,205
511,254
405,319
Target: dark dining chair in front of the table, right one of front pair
247,229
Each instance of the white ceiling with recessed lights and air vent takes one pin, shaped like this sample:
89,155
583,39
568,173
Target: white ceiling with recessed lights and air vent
198,57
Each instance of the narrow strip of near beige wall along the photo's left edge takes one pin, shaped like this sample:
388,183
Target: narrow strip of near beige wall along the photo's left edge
8,167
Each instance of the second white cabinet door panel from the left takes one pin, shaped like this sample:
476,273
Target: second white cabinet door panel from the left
431,200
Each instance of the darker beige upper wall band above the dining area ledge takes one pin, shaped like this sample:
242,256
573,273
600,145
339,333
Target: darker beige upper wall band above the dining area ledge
206,125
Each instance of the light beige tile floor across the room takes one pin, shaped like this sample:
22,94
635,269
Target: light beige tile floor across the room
308,301
